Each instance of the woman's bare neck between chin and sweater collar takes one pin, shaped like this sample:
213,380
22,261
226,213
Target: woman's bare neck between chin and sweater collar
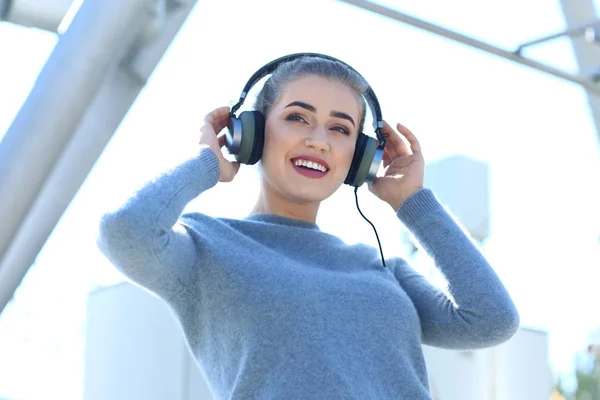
272,202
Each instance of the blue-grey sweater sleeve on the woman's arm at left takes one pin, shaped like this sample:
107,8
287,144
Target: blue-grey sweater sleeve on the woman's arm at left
143,238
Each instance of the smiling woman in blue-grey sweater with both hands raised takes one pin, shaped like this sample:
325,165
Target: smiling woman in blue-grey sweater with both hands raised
274,308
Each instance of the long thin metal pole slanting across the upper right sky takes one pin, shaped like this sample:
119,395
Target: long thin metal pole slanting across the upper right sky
509,55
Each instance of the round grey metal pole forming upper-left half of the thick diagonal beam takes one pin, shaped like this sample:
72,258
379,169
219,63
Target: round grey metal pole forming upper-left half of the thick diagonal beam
93,44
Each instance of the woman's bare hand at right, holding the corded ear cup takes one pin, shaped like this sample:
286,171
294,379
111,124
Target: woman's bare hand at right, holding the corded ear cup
404,167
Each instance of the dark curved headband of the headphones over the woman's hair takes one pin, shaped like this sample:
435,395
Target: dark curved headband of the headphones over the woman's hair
273,65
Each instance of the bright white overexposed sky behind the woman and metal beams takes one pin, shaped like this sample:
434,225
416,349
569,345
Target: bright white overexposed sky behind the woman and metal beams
533,130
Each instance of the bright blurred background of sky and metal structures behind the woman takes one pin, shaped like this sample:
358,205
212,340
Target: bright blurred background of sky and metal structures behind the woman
99,96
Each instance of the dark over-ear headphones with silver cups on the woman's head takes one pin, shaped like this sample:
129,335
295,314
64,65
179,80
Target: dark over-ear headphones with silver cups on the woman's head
245,134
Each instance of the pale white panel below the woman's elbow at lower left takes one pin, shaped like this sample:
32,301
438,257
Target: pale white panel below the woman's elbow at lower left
136,349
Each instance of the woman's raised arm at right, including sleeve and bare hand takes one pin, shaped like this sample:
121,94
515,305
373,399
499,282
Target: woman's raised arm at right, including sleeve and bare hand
482,313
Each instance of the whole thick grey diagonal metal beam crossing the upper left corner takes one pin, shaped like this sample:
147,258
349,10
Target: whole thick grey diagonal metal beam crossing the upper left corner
81,96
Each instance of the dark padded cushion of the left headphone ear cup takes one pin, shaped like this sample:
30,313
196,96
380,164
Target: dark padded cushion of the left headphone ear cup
252,137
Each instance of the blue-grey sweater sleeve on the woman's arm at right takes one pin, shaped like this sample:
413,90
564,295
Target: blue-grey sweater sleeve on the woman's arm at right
479,311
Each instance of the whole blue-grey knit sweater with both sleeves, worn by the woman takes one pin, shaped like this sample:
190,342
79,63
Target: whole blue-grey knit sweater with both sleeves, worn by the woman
274,308
